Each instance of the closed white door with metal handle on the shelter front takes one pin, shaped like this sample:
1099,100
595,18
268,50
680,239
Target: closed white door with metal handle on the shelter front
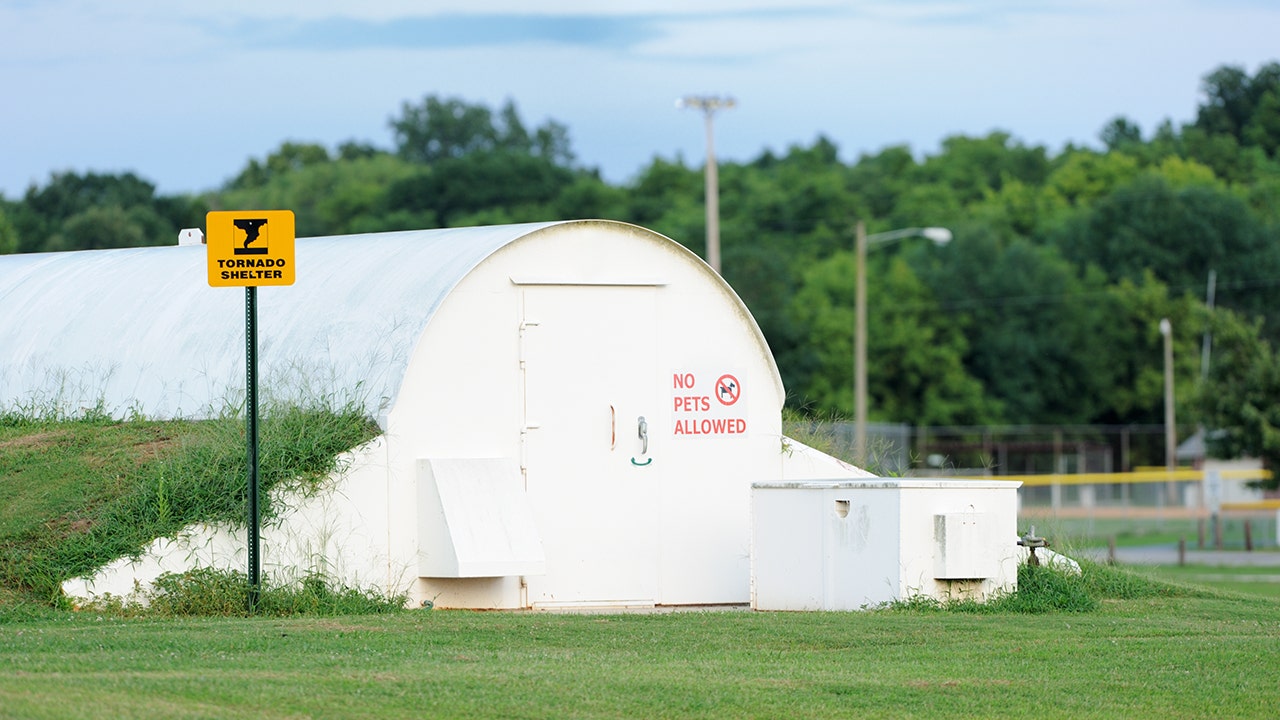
589,358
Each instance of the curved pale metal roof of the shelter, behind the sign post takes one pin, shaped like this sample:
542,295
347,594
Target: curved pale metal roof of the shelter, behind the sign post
140,329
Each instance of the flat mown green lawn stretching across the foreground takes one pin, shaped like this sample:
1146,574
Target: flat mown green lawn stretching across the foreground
1167,658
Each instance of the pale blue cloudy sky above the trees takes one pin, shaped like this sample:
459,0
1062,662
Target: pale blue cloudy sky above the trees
185,94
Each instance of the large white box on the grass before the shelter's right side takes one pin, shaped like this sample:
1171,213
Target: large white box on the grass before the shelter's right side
856,544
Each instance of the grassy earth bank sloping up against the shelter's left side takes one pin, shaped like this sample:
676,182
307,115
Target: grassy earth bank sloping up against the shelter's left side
81,494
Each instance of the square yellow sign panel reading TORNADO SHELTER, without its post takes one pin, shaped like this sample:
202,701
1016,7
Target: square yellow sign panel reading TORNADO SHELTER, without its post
250,248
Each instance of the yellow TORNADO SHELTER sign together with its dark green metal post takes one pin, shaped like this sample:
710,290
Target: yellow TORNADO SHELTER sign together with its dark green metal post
252,249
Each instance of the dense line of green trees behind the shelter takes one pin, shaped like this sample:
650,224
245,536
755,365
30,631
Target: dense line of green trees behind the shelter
1045,308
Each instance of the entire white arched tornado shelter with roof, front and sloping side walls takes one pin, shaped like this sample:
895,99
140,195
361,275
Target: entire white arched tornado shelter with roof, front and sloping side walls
574,413
